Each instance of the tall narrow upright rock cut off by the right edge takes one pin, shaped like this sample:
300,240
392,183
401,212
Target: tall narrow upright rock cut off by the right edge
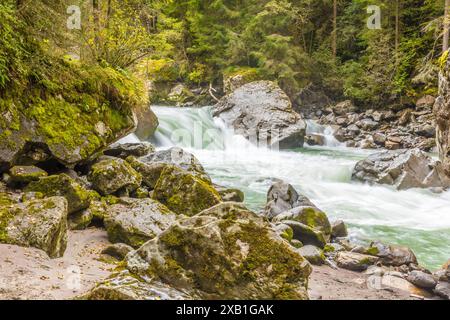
442,115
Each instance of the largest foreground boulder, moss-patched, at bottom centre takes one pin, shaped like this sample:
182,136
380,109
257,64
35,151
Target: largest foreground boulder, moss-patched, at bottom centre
226,252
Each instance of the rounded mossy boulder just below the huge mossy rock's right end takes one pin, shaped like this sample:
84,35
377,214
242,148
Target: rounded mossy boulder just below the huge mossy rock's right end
111,175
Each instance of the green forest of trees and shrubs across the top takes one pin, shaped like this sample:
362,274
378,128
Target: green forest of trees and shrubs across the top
325,43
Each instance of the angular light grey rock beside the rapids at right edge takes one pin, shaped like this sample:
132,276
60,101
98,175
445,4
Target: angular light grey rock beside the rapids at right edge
404,169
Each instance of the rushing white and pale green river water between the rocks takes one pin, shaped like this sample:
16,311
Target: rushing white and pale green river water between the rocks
419,219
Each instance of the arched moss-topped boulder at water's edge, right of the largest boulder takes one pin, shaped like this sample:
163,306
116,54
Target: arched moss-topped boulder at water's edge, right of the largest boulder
310,216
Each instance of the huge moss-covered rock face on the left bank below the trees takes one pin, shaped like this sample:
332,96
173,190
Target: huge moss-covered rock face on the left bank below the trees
70,111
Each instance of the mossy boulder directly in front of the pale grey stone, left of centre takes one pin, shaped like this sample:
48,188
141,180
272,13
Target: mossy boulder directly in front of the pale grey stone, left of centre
184,193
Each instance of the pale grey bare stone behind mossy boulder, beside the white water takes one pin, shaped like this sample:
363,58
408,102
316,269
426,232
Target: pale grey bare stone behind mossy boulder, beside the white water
178,157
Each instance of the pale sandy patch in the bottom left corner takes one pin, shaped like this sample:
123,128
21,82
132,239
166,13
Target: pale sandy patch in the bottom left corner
27,273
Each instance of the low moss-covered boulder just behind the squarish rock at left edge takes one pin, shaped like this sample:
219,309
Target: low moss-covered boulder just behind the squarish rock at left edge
78,198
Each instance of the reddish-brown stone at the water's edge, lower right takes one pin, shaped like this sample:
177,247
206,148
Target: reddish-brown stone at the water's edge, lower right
392,255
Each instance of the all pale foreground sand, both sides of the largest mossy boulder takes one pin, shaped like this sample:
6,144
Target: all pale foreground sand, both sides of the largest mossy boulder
27,273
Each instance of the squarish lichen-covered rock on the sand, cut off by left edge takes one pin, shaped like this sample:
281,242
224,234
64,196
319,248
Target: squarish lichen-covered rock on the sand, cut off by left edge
39,223
